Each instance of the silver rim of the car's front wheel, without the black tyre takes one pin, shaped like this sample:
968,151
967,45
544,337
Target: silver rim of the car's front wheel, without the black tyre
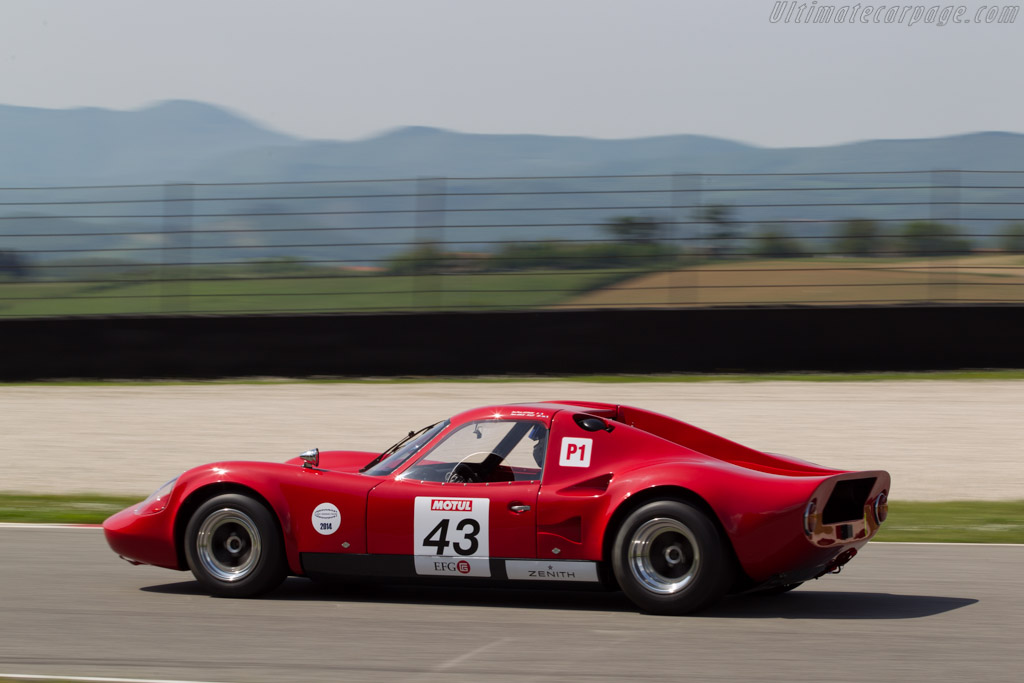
229,545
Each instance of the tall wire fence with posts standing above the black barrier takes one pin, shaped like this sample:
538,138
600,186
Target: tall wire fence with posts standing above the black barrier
514,243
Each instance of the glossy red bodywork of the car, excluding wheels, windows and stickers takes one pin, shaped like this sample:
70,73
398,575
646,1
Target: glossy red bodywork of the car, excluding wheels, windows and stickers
787,521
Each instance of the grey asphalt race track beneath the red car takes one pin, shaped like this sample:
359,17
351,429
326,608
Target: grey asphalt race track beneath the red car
900,613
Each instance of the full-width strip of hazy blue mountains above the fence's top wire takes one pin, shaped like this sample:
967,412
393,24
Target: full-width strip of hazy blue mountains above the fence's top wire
187,141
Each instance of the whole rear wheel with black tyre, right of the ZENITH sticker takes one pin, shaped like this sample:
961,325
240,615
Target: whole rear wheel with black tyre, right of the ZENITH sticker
670,559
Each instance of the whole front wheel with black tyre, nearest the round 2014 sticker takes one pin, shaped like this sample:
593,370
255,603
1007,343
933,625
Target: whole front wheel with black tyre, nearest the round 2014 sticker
234,547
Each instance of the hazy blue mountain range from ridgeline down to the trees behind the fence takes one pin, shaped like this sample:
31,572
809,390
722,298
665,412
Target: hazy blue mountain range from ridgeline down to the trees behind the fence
368,224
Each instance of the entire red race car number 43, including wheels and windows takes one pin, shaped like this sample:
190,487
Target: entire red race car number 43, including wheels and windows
548,494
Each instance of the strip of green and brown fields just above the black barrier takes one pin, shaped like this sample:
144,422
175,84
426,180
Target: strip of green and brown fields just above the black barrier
285,289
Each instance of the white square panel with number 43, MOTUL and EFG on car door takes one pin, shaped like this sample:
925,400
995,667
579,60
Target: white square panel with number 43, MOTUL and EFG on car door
451,536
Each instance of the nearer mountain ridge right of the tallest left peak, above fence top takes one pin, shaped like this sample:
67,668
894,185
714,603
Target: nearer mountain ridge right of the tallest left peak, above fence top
431,152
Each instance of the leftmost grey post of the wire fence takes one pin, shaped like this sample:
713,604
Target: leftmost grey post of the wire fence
177,262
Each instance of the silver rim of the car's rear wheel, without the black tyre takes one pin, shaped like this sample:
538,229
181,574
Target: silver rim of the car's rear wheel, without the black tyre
664,556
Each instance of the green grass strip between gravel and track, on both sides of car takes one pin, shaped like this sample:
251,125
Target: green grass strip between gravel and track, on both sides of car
954,522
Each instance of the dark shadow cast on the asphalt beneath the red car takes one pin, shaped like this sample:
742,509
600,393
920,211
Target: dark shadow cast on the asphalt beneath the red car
796,606
